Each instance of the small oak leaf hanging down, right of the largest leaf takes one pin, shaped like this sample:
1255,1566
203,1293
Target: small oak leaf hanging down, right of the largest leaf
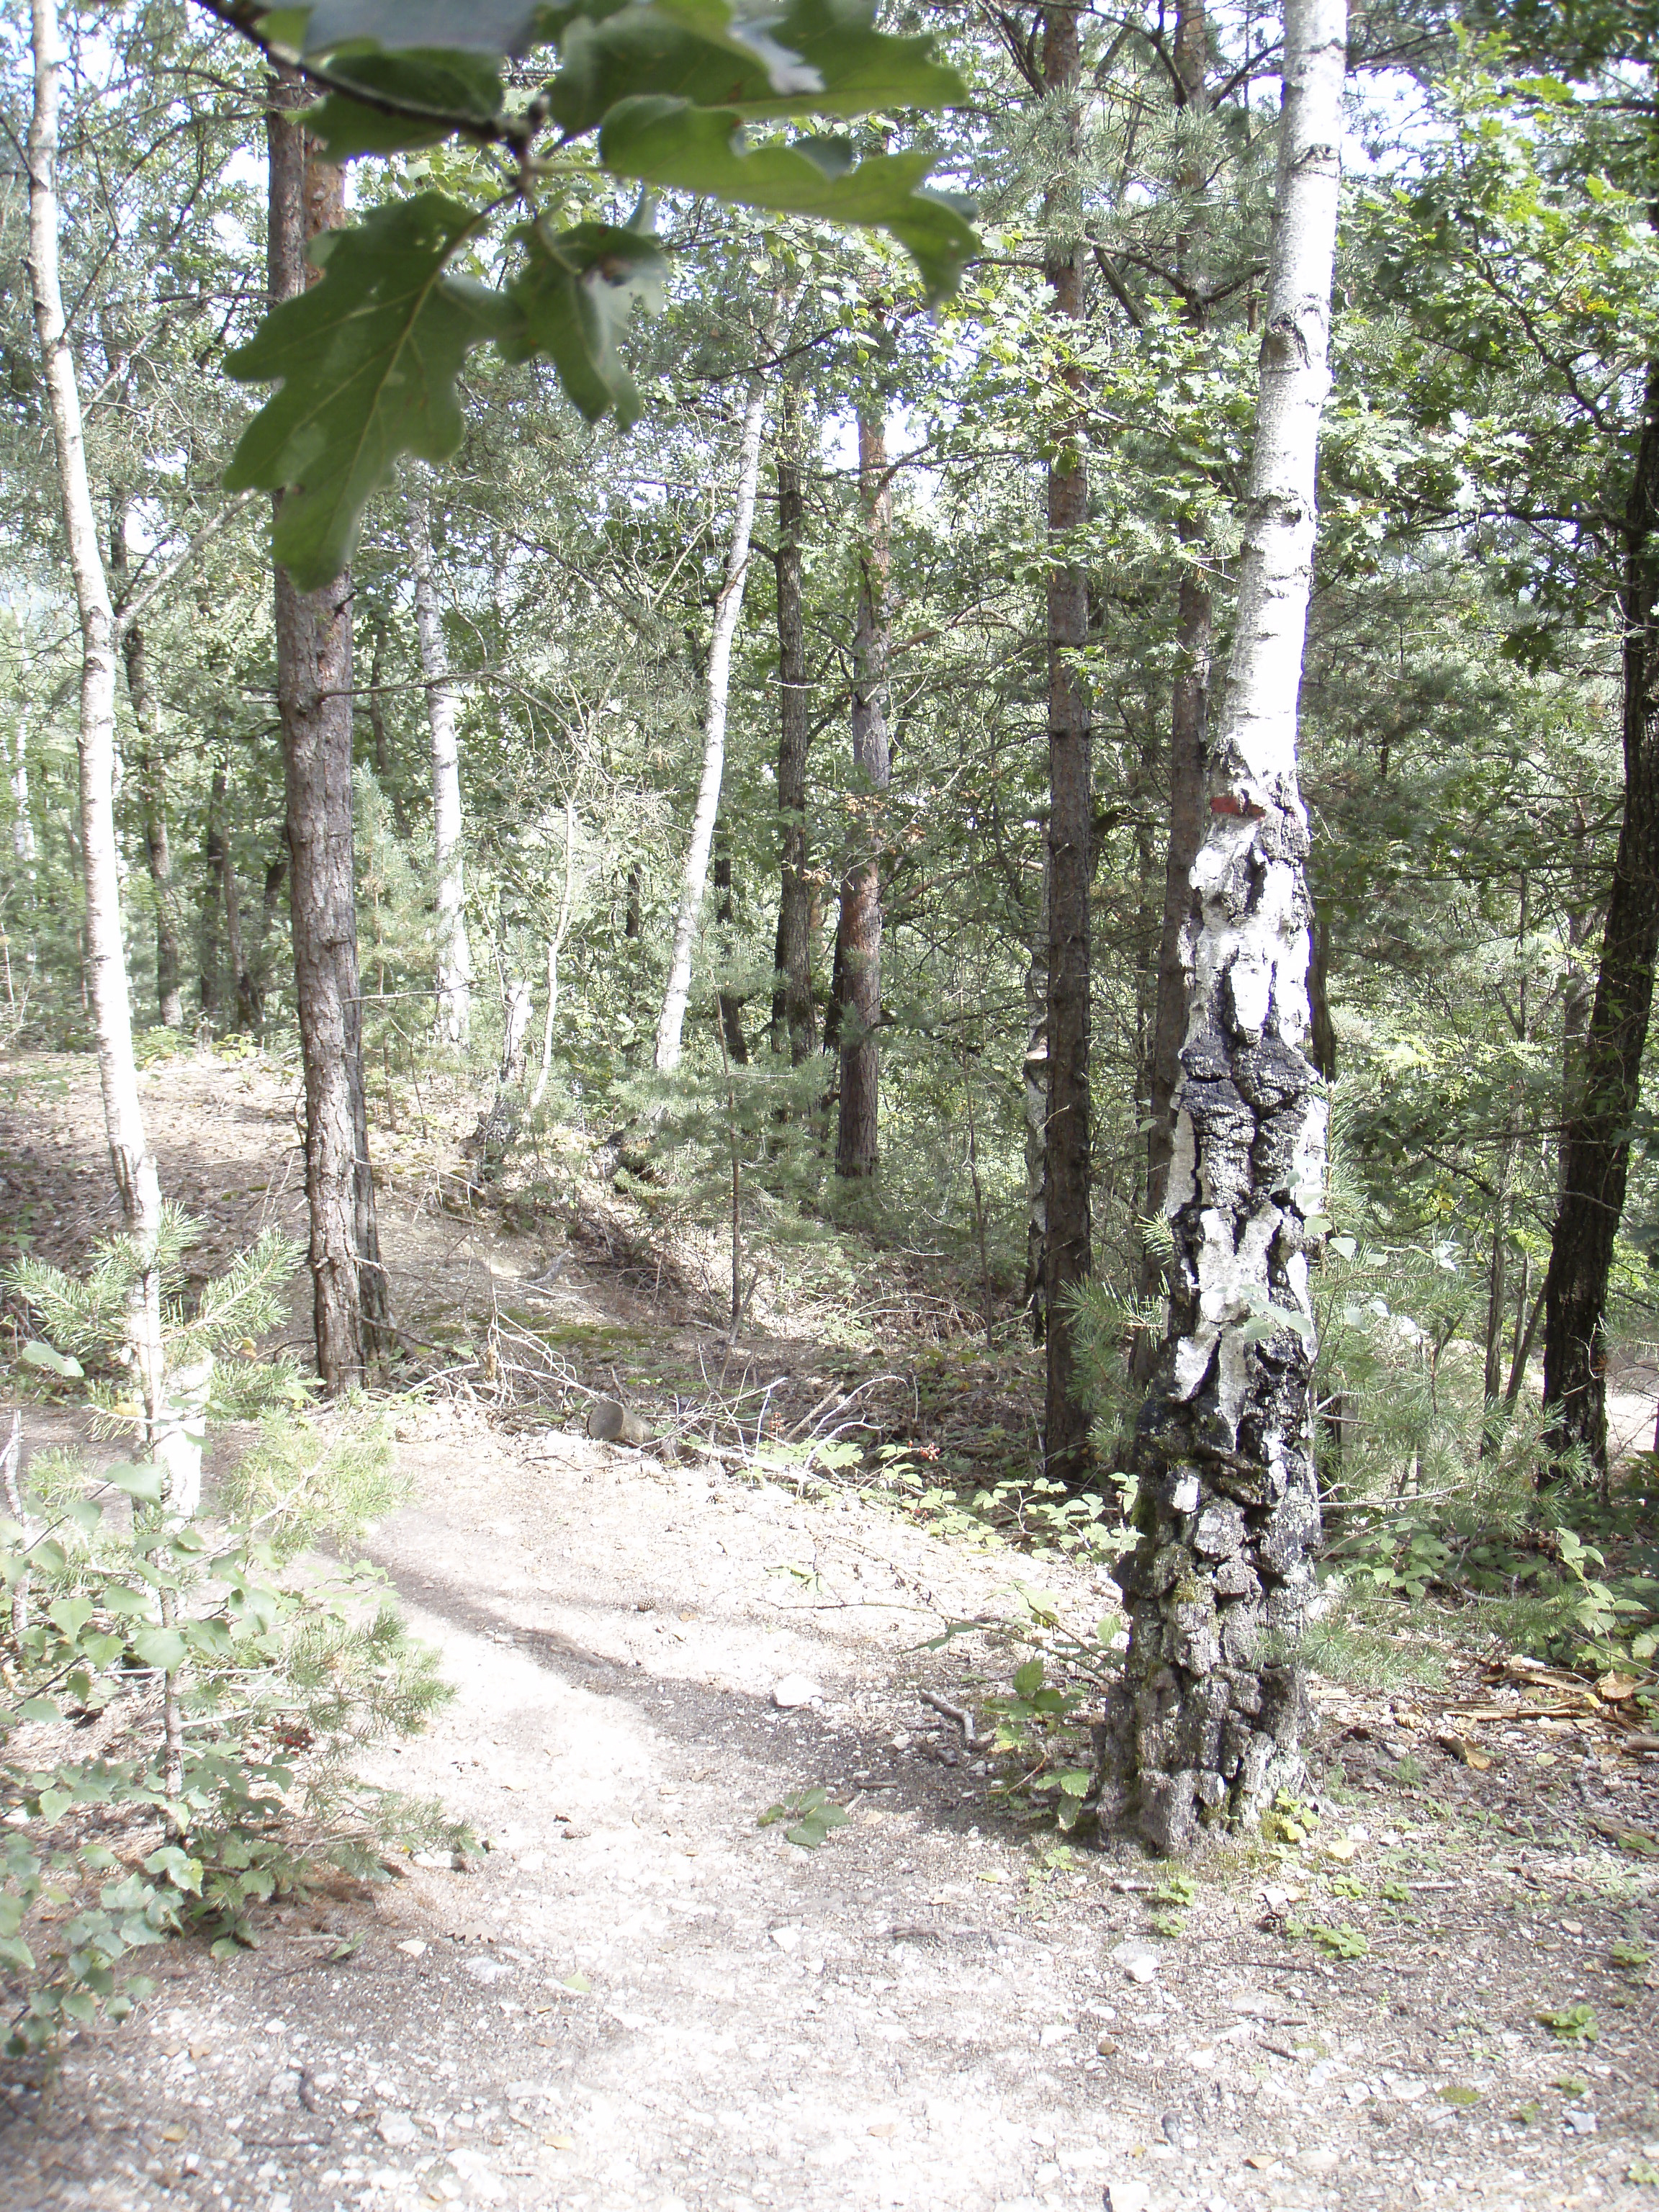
576,300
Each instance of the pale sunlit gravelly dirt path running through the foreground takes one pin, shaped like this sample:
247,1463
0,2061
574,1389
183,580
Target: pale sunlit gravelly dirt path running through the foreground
643,1999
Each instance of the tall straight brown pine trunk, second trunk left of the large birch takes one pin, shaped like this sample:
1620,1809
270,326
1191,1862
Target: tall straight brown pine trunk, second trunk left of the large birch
1072,864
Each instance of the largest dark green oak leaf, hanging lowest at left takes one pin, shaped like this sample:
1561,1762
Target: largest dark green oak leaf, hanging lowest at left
368,364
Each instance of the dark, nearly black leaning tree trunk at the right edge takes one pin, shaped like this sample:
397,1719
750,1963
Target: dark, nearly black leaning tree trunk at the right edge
1596,1136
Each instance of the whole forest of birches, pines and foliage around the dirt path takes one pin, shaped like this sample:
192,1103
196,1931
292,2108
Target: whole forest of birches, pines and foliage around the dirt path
997,662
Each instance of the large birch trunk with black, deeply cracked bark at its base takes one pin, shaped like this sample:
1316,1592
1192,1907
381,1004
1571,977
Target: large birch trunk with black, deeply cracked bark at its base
1204,1724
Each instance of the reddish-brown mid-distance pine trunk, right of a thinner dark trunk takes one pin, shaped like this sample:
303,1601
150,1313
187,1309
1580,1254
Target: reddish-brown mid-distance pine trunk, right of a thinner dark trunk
859,930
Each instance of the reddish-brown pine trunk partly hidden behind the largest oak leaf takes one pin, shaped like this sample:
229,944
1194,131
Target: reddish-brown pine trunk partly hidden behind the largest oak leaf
315,702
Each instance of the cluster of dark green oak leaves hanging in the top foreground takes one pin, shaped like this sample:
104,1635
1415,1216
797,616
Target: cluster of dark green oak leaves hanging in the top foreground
368,359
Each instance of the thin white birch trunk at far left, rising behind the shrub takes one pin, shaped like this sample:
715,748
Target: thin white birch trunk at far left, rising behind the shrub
105,966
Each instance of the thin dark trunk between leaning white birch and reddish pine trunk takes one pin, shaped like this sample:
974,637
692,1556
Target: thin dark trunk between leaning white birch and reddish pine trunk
793,997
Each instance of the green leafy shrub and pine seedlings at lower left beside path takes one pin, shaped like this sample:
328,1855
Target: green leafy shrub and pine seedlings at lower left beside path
185,1693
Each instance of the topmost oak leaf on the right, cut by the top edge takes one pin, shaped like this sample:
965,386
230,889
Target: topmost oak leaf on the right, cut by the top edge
813,59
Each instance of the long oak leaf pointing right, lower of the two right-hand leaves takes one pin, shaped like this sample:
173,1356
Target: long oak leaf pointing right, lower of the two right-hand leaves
700,152
